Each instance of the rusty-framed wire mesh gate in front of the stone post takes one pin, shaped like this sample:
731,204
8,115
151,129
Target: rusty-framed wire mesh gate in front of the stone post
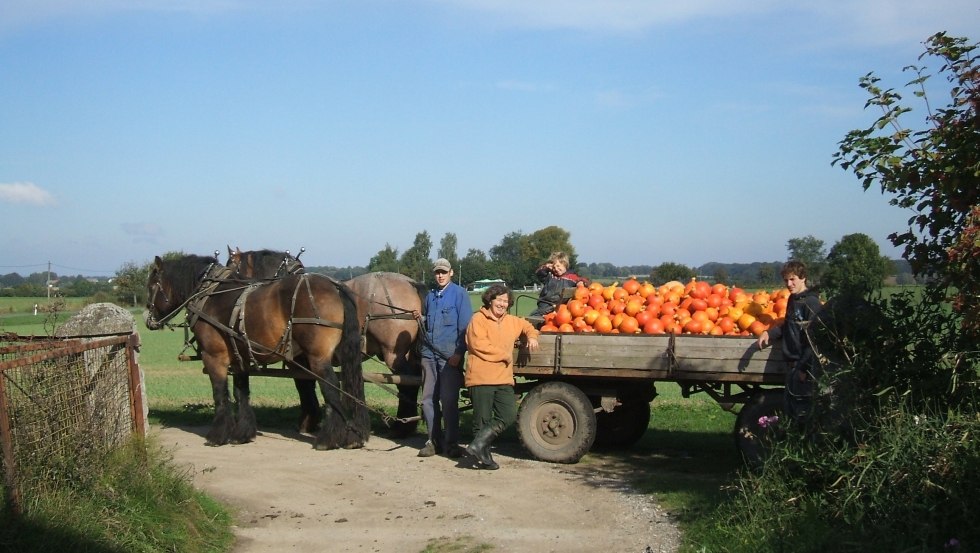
64,401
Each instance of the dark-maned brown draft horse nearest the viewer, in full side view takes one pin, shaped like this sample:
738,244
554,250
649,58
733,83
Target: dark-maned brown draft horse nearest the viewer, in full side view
307,321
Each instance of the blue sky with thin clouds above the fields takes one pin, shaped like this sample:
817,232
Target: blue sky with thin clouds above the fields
651,131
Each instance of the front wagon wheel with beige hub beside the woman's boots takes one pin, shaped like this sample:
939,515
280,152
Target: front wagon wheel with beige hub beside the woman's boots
556,422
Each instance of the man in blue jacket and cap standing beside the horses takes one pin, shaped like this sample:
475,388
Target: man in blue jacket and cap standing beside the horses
448,312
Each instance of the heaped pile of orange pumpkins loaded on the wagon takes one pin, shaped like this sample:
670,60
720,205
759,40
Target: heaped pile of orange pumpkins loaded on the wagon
674,307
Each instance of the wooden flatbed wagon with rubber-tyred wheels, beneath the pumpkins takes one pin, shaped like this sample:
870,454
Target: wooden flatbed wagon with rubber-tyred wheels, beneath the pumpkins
583,389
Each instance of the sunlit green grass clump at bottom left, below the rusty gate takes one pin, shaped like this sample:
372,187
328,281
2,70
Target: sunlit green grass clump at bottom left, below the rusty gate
110,510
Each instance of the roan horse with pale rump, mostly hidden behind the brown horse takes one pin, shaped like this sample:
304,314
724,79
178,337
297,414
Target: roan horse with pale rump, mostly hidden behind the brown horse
385,305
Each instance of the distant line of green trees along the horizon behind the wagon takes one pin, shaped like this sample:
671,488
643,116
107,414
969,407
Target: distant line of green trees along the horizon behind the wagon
854,260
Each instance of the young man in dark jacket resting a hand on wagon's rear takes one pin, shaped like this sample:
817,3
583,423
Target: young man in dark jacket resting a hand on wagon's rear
802,308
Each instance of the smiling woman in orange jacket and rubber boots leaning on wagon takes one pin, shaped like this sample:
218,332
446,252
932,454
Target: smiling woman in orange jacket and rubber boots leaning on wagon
490,339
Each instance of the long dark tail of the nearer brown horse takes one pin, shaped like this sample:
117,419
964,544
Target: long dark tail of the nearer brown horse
350,364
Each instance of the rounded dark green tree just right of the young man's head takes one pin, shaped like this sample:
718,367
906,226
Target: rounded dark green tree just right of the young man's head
855,267
